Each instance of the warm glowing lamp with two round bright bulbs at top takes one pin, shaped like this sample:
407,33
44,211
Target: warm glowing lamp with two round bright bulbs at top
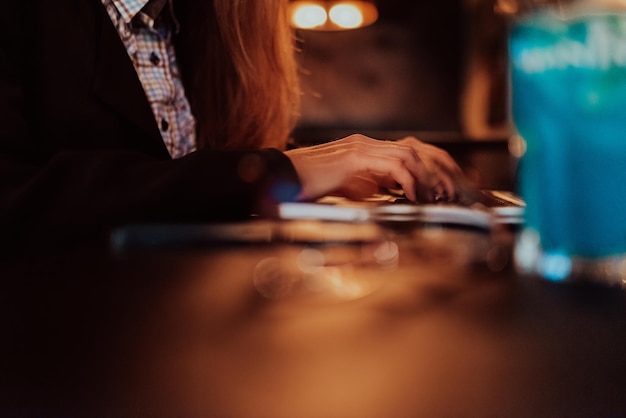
332,15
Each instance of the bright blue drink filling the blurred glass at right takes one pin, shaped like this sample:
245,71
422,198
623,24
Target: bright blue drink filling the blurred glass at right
569,104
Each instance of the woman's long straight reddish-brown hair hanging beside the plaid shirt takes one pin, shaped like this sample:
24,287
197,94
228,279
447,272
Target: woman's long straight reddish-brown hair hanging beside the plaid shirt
240,74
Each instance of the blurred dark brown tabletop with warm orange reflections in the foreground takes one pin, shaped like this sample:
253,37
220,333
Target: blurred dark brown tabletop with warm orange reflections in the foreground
433,322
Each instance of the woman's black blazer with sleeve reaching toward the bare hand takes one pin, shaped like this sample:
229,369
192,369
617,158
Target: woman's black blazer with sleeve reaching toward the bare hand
73,165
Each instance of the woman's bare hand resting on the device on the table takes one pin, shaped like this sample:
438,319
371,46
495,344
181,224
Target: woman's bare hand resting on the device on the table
358,163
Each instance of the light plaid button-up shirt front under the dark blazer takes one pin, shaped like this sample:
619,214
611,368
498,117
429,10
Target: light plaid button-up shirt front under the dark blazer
152,53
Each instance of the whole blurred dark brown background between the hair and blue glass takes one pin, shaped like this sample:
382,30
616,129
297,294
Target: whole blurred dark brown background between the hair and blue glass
433,69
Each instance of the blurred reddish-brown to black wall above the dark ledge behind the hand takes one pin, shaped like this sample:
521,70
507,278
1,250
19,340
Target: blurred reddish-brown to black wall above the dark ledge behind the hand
408,71
